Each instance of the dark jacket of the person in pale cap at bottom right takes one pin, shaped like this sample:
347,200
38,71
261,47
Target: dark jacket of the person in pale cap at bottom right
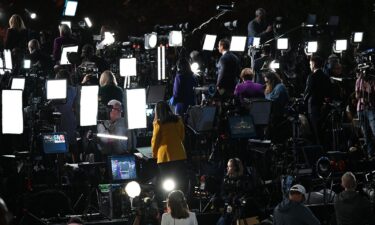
293,213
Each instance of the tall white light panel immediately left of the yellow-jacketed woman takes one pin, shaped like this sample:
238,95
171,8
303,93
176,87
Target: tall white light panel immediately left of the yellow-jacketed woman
136,108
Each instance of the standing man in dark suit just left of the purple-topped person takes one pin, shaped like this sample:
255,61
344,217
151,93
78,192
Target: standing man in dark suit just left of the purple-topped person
228,69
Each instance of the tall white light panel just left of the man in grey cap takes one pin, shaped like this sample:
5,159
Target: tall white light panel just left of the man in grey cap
89,105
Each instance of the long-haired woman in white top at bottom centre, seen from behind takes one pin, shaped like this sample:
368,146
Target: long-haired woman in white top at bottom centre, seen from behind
178,211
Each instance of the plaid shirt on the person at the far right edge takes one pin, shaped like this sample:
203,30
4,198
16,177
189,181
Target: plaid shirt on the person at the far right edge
366,89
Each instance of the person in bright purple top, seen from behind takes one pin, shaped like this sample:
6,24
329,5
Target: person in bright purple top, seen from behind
248,89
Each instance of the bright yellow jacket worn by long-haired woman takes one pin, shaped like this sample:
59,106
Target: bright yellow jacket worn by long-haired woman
167,141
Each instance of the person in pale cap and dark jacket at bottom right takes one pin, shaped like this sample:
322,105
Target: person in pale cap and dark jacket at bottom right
292,211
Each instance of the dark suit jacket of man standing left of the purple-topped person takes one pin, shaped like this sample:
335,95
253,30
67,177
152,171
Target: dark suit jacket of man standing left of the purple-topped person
228,71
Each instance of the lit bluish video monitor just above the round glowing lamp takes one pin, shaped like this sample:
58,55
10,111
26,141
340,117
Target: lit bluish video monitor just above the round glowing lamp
123,168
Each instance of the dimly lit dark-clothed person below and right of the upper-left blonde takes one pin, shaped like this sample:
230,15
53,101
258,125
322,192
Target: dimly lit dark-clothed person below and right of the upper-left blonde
39,60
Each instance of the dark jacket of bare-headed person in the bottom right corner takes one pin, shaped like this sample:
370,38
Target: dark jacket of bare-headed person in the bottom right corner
353,209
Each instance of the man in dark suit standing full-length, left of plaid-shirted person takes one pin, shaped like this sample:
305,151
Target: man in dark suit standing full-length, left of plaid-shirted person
318,88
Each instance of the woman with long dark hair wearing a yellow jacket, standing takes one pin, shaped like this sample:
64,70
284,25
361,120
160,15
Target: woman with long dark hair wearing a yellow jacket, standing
167,143
